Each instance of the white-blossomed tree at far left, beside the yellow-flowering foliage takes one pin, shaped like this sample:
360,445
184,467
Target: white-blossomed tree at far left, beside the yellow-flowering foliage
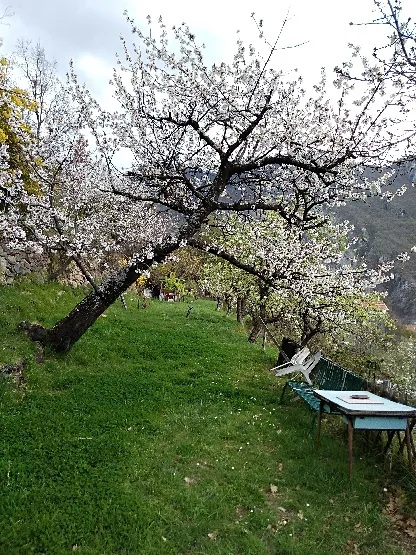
71,214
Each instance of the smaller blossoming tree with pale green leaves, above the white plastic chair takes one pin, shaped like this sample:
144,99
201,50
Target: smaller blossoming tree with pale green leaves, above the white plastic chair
310,282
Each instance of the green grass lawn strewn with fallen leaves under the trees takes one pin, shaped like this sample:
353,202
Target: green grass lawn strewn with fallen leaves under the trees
162,435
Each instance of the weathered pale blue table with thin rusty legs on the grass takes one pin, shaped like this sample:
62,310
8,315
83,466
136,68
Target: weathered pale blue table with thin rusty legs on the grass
370,413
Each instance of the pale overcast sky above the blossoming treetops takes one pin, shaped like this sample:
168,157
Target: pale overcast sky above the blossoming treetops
88,30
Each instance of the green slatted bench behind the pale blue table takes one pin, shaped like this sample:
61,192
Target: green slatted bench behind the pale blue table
326,375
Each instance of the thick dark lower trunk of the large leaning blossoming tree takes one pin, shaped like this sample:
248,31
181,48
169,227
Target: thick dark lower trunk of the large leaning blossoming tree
62,336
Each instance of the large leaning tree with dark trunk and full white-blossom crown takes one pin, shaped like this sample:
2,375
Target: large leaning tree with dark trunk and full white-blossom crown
231,138
